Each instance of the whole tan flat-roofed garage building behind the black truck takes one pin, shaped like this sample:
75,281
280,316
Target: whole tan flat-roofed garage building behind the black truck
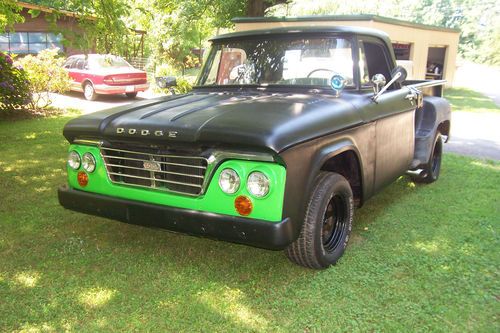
425,51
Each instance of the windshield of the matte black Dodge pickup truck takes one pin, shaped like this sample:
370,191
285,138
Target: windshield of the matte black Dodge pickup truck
286,61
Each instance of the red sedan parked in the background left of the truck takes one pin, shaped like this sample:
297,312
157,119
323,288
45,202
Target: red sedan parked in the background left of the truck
95,74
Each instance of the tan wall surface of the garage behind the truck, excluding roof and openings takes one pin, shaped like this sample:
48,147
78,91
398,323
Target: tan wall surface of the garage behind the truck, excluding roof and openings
420,38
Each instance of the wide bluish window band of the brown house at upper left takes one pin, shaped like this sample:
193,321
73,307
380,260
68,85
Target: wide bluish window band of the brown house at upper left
29,42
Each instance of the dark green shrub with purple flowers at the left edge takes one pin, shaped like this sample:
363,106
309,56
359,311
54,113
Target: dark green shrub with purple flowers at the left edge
14,85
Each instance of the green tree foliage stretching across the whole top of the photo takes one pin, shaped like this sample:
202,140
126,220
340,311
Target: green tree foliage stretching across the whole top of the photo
175,27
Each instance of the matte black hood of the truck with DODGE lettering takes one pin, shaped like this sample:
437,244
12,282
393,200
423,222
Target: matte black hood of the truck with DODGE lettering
266,120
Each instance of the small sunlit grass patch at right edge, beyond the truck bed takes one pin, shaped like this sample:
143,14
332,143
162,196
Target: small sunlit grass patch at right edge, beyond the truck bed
463,99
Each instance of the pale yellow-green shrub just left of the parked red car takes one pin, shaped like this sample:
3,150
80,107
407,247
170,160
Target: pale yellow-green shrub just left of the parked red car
46,76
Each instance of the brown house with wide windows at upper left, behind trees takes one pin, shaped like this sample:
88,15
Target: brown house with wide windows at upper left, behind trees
35,33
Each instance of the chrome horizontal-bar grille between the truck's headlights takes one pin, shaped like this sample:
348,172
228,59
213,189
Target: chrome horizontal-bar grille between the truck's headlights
152,168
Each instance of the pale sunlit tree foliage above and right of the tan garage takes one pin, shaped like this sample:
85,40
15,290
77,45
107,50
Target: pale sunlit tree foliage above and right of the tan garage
476,19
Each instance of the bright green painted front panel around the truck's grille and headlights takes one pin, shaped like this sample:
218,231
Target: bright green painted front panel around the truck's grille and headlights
214,200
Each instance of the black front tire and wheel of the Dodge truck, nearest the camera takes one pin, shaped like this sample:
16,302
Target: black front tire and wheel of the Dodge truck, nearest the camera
327,224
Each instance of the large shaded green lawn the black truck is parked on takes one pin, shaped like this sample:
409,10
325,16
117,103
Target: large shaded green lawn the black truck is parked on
421,258
